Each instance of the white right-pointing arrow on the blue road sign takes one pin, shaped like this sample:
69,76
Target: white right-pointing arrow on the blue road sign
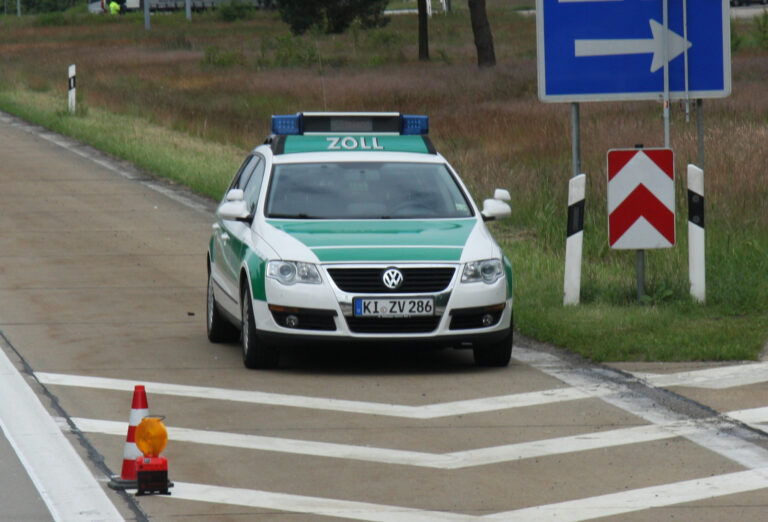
677,46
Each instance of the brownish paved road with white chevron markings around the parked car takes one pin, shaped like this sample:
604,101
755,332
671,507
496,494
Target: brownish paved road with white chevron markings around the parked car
102,283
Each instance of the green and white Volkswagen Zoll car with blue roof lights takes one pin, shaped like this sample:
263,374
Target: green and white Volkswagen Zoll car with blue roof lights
351,227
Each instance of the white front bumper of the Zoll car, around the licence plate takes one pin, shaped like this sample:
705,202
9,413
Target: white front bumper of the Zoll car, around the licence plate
465,313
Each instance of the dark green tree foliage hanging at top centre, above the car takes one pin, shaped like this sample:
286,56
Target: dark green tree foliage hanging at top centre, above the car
332,16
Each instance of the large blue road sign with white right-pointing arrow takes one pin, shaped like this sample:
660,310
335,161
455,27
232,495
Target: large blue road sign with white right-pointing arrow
601,50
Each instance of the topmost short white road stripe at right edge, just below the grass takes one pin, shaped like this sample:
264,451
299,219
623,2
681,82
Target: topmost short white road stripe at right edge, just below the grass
713,378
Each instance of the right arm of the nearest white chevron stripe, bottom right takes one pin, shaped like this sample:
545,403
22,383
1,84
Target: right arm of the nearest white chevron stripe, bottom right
644,498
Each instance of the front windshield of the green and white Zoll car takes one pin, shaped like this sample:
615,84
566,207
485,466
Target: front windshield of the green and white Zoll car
373,190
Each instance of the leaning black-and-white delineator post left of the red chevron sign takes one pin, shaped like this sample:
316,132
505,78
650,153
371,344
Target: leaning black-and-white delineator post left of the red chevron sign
575,238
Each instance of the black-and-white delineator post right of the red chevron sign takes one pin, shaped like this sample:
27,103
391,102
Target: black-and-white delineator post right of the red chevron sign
696,243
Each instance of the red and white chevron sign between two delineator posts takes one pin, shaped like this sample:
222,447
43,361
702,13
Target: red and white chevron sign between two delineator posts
641,198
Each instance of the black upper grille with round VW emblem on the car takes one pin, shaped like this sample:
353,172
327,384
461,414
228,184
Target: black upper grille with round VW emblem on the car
415,280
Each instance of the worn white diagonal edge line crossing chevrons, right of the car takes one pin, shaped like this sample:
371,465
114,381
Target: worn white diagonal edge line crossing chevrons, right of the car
721,441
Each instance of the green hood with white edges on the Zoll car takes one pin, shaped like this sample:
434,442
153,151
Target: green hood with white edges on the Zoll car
330,241
